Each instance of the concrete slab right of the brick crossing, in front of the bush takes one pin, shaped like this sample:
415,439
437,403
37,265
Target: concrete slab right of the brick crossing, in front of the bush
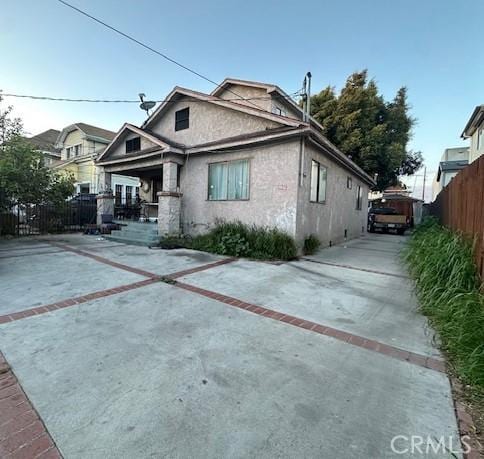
370,305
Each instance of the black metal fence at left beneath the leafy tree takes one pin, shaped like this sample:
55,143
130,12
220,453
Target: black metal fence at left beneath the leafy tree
34,219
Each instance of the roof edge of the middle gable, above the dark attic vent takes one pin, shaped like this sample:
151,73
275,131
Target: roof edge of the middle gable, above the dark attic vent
179,92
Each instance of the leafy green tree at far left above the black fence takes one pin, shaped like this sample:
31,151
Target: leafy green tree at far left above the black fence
25,180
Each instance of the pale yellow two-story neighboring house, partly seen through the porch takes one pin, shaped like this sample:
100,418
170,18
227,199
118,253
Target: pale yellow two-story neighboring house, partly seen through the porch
79,145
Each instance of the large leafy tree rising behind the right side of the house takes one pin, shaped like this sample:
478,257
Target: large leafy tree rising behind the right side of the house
372,132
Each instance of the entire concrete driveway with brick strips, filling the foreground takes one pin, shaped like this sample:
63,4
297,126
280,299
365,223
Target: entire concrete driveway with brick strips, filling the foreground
127,352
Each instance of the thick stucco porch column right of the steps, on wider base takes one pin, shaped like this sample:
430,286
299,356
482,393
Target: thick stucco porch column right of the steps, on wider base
169,202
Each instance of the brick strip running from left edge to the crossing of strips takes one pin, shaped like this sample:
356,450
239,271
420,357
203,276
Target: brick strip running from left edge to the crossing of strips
74,301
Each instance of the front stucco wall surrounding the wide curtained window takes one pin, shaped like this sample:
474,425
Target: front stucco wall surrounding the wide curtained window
272,190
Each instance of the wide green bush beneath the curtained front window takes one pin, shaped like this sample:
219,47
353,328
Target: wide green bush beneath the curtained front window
240,240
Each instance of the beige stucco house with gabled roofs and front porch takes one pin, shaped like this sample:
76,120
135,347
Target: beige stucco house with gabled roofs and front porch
242,152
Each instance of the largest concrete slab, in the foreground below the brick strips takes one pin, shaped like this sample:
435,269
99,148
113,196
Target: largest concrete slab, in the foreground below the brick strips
161,372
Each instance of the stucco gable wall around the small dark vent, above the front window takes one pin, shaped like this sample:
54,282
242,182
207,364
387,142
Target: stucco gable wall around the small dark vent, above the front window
208,123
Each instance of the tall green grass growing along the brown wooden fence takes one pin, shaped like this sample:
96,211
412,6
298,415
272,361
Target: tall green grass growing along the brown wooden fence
449,290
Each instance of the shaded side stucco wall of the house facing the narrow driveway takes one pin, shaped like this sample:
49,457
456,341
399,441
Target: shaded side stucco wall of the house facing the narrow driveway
328,221
